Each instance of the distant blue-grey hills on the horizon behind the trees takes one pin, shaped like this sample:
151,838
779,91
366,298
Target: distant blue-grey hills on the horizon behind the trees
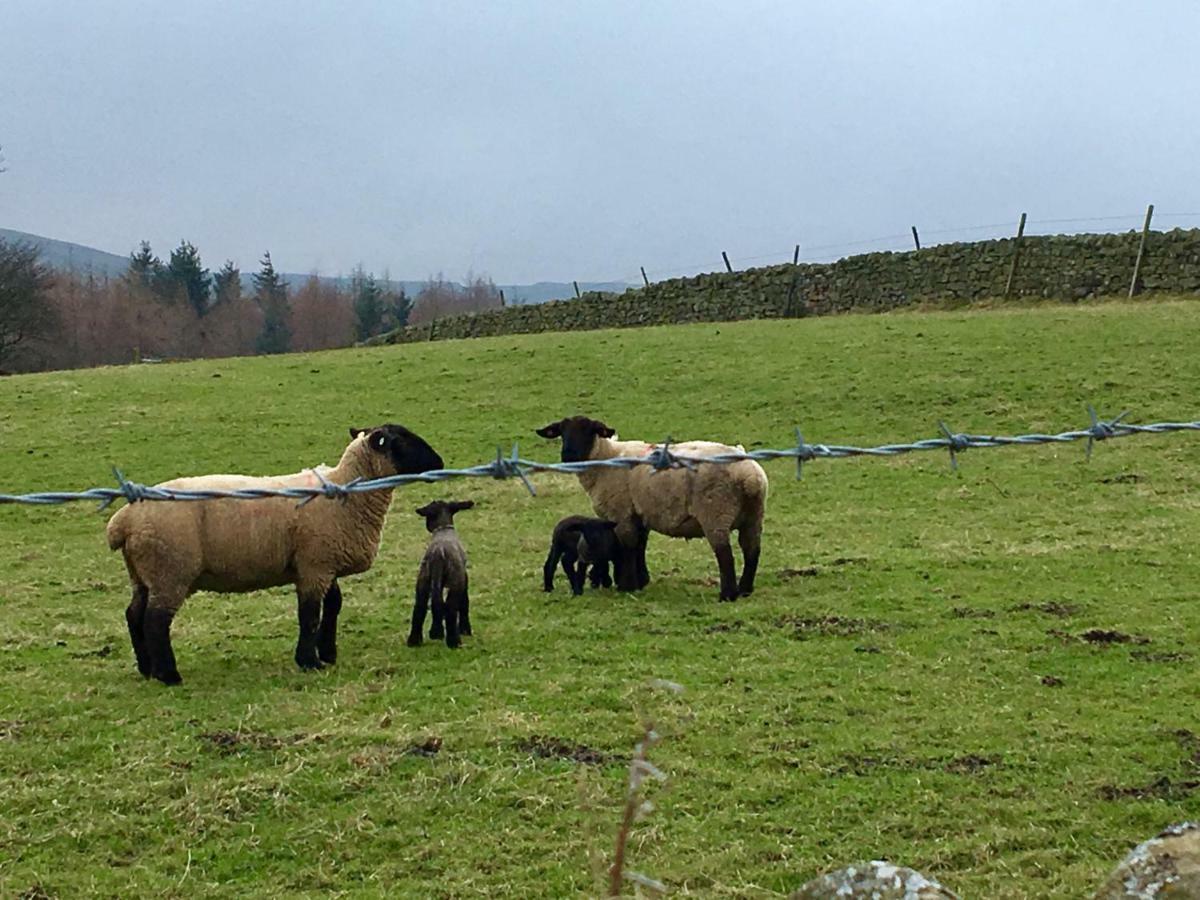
65,256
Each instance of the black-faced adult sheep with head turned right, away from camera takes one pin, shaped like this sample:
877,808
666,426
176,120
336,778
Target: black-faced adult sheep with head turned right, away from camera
175,549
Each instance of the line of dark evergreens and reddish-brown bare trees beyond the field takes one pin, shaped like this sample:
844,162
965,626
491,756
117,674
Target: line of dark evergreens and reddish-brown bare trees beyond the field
181,310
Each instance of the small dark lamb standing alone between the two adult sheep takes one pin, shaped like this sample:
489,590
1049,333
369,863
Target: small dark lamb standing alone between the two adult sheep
443,568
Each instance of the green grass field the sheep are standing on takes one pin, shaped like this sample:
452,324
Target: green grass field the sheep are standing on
910,681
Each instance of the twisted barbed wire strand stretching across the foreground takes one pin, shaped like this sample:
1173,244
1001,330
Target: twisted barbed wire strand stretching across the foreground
661,457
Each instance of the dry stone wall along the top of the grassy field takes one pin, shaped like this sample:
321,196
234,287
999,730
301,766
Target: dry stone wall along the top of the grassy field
1066,267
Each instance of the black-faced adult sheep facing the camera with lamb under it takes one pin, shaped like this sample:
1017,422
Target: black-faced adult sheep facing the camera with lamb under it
710,502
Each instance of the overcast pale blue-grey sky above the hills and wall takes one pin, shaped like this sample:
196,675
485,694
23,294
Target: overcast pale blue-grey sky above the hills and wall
559,141
